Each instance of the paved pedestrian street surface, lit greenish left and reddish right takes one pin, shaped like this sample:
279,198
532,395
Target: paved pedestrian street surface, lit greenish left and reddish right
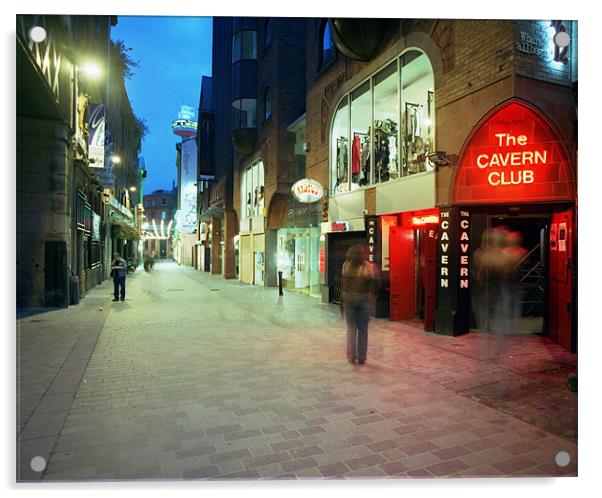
195,377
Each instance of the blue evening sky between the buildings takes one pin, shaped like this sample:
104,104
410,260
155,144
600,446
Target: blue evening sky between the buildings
173,53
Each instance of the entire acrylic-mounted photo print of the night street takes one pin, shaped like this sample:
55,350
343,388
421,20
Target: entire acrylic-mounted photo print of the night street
330,248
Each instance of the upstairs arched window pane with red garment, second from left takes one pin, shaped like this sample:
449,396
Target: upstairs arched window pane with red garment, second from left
361,119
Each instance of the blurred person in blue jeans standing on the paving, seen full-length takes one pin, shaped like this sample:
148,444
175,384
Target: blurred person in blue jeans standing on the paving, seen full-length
359,282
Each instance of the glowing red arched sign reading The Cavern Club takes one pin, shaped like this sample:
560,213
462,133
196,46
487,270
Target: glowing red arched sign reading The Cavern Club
514,155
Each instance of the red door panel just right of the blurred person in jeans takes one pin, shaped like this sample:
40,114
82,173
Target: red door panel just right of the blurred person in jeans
402,273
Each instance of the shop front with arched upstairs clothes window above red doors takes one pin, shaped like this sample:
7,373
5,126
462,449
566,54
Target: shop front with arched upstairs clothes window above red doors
382,181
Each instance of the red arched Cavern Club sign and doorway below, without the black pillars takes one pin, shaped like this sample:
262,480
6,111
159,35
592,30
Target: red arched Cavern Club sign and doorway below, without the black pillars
514,176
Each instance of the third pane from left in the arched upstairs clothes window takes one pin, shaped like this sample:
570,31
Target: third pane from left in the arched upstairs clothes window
386,124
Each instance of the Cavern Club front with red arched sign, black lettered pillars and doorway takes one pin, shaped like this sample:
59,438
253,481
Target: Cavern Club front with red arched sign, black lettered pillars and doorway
506,248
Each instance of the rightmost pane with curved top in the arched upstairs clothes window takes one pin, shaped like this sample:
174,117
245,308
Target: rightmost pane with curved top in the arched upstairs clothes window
418,109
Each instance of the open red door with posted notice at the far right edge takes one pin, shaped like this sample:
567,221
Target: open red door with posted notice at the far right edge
560,297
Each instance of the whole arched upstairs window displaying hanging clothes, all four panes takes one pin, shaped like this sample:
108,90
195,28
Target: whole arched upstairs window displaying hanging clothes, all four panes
383,129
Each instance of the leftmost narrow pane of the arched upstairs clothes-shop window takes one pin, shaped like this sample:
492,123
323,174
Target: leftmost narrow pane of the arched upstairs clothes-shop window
339,177
